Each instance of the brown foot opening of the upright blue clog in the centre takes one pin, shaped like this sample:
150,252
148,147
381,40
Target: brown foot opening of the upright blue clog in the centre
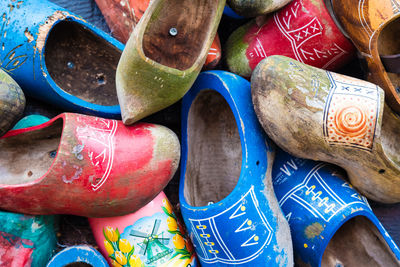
214,150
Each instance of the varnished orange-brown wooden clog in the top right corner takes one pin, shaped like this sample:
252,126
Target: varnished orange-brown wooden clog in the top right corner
374,28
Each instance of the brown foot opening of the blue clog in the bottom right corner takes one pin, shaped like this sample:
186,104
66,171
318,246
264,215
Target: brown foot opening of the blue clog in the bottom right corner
358,243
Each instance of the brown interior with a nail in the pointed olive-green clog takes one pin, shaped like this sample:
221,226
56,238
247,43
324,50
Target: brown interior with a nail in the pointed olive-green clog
193,21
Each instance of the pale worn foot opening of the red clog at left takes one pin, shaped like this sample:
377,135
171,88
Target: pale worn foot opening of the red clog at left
28,156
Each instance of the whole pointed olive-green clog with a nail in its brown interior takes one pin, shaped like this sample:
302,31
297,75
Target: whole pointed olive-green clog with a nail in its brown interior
165,54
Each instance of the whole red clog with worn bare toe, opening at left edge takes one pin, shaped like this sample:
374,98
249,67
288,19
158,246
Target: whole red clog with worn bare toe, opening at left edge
87,166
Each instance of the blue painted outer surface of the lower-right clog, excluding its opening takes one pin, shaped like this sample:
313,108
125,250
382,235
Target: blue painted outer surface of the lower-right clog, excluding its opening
312,193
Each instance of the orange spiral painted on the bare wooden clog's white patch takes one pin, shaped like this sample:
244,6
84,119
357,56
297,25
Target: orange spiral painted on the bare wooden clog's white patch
351,121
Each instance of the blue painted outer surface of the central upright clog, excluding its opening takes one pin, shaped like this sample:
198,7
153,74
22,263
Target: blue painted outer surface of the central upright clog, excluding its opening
219,231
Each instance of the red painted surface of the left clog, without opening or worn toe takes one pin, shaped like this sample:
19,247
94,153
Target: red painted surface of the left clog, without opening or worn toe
135,176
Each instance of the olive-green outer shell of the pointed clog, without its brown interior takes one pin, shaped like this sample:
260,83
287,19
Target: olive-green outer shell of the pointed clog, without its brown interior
145,86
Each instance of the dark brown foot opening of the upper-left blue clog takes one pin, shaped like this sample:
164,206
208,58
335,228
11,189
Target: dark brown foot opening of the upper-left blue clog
82,63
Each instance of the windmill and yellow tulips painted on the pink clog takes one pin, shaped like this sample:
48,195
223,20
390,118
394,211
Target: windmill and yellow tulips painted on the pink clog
166,233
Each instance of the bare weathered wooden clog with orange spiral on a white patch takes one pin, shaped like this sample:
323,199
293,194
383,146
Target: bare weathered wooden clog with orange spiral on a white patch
319,115
